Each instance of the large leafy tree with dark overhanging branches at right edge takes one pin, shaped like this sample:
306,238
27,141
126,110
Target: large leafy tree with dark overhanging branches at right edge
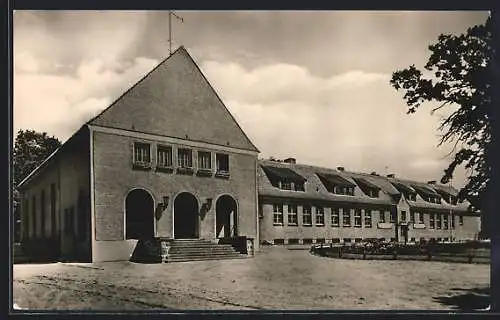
458,77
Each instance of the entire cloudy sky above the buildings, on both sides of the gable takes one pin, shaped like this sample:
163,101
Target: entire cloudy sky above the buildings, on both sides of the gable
313,85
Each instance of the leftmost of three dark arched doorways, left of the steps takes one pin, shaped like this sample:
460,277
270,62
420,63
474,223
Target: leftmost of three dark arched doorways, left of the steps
139,213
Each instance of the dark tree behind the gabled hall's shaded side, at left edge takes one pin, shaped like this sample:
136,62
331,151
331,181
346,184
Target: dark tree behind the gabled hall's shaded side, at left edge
31,148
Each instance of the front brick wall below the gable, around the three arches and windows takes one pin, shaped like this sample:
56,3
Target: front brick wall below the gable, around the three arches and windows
114,177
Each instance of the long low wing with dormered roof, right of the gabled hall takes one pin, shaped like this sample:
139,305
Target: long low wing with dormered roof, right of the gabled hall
334,205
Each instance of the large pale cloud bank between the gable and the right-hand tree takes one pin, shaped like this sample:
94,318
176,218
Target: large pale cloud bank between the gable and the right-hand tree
355,119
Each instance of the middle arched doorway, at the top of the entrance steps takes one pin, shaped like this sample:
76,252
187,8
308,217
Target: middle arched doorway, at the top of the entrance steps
186,216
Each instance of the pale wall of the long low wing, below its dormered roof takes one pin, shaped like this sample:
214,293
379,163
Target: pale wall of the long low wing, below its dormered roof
272,233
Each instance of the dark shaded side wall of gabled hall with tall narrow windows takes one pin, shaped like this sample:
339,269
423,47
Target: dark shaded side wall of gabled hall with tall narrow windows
69,174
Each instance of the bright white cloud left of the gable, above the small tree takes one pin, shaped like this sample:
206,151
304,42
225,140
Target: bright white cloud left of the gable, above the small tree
59,104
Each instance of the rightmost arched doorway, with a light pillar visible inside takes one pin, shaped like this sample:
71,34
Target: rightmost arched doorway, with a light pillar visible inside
226,217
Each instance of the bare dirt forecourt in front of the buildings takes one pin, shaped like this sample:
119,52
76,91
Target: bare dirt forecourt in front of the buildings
276,278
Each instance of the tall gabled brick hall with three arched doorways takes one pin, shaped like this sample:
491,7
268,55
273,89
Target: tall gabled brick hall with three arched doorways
165,160
